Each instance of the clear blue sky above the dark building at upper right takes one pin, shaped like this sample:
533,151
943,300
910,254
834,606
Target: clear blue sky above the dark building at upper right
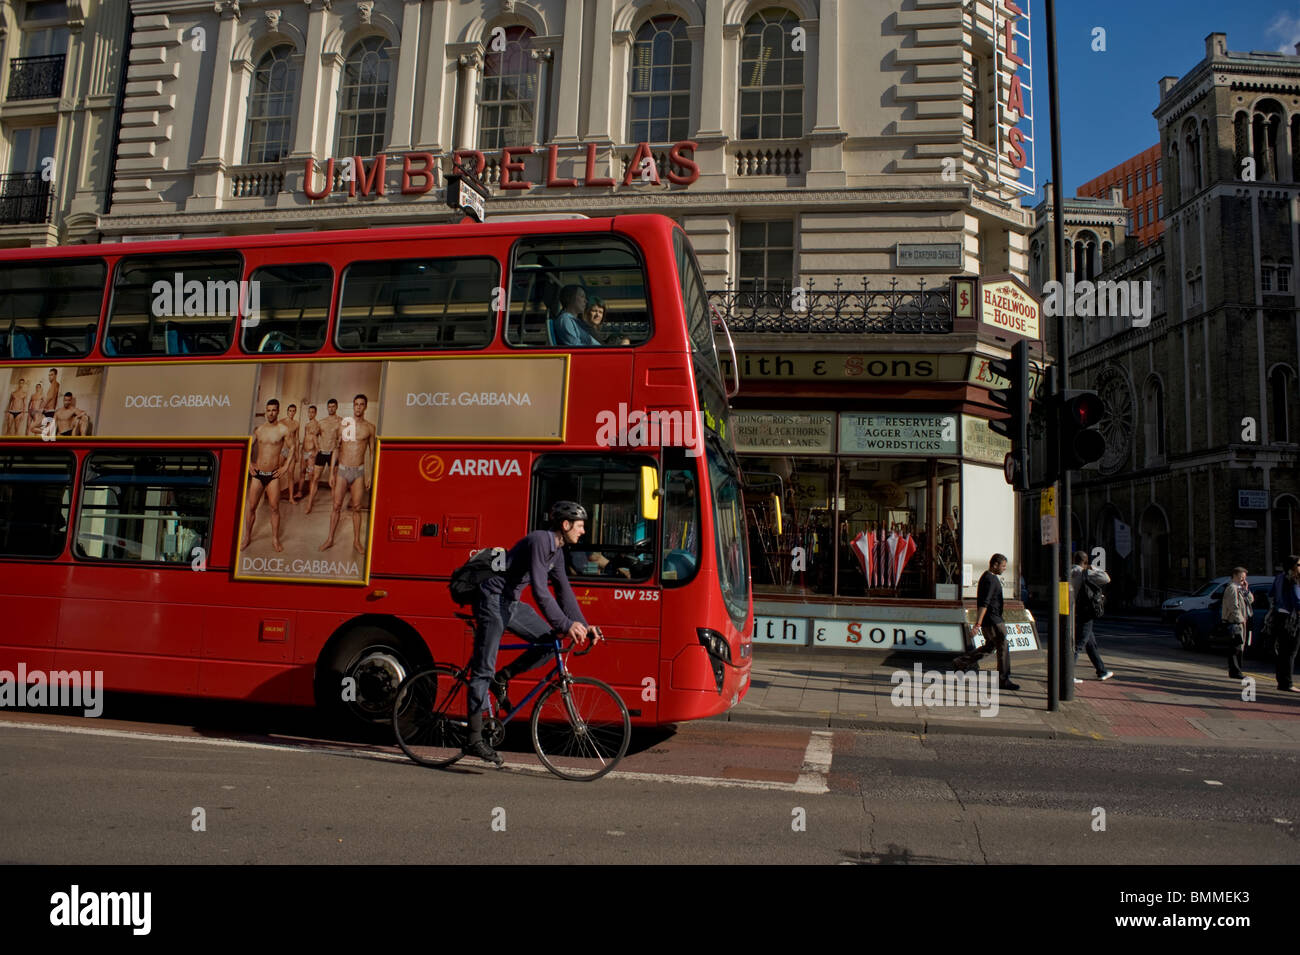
1107,98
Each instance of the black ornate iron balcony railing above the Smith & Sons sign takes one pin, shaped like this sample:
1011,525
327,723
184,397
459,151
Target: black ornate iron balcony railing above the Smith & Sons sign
840,311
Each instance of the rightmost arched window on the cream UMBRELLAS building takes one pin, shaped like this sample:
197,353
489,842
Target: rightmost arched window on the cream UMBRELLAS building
772,77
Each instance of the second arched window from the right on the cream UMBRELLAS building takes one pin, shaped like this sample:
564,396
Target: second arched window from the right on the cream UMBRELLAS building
661,83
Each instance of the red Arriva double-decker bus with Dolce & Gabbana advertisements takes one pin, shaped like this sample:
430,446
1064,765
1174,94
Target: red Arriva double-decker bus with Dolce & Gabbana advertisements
245,468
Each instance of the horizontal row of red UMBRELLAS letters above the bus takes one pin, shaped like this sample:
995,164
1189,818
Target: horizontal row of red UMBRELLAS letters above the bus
421,171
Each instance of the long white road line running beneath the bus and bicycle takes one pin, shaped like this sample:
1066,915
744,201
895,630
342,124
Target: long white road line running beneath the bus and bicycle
817,758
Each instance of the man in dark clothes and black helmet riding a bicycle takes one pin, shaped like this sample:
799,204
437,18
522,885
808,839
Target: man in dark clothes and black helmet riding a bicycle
535,561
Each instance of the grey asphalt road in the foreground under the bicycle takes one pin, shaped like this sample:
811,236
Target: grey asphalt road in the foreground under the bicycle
83,792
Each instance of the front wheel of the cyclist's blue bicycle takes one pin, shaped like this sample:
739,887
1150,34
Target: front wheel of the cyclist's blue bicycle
580,730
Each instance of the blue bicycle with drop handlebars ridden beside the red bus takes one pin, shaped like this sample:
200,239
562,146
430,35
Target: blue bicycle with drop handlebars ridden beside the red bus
580,727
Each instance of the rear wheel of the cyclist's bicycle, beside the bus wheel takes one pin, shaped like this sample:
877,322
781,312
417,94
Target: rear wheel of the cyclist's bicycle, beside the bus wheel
430,717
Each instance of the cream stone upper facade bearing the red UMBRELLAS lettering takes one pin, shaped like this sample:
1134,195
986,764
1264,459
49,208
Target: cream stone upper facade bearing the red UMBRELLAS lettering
805,167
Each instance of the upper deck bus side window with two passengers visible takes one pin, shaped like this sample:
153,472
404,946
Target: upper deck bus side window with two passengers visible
578,292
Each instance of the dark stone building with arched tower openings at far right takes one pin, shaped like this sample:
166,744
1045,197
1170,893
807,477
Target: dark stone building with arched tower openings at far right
1201,471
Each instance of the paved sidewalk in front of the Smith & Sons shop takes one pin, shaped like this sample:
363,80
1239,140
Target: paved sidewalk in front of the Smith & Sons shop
1184,701
